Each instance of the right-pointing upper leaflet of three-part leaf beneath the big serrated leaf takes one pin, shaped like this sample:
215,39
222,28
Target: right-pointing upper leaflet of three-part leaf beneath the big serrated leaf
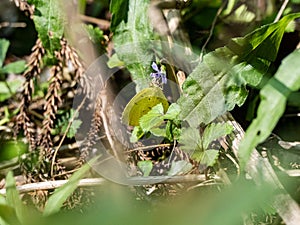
214,131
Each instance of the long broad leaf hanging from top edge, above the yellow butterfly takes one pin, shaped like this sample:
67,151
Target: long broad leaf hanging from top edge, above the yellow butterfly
132,41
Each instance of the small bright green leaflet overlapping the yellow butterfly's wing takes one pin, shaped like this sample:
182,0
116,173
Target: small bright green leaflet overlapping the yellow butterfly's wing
153,118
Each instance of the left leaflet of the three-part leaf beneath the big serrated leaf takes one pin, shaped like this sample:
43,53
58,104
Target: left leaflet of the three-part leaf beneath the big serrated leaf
190,140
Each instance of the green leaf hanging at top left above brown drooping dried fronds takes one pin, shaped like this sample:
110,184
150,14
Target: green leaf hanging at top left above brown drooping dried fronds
49,23
